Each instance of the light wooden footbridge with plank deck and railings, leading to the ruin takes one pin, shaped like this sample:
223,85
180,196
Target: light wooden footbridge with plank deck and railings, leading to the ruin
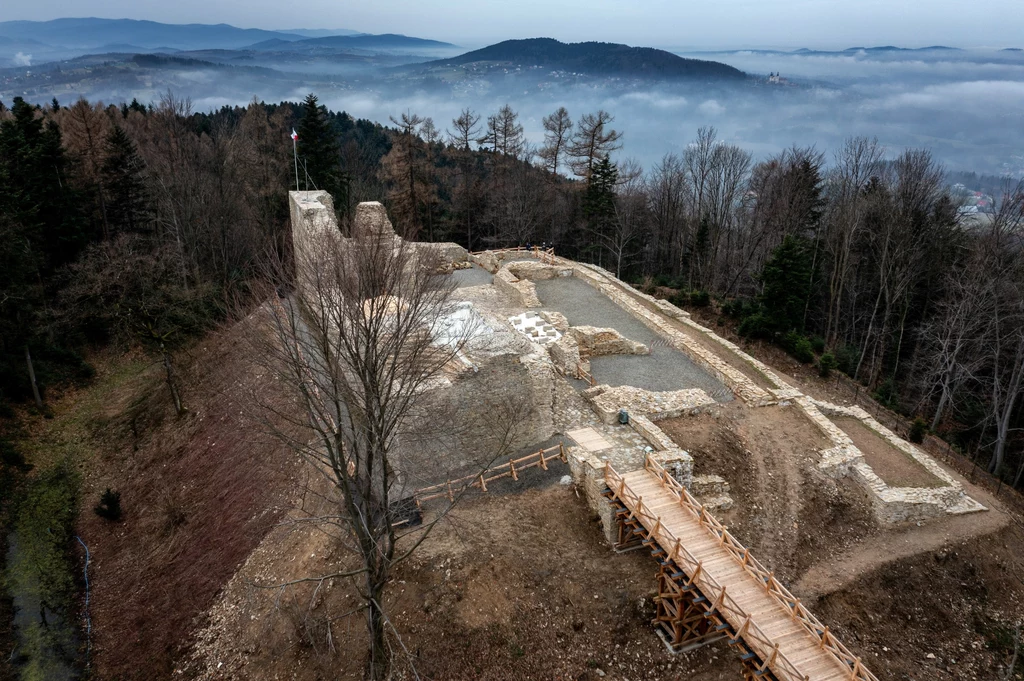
789,642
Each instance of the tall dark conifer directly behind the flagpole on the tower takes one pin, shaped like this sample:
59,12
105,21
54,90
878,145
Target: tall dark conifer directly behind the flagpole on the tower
320,153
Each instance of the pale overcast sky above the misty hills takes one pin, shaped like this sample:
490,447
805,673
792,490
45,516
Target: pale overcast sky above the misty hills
790,24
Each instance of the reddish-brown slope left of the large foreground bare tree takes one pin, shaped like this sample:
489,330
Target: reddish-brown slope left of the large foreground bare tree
199,494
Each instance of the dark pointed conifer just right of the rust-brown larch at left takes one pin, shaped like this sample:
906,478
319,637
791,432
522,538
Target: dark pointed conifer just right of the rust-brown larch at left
129,203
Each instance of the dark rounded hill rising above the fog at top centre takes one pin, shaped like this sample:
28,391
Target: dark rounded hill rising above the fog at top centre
596,59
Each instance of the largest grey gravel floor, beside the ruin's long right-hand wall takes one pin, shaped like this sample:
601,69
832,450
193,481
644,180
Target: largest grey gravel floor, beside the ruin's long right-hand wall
665,369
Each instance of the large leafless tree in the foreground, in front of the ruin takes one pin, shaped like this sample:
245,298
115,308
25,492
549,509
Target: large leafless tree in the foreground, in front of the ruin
361,347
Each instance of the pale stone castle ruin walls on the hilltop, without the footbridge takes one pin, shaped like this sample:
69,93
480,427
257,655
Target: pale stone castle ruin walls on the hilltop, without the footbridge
585,349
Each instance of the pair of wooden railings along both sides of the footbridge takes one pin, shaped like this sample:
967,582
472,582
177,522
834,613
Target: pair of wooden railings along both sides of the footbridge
766,650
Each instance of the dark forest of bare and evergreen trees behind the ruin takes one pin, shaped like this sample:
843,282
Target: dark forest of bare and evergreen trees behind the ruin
143,225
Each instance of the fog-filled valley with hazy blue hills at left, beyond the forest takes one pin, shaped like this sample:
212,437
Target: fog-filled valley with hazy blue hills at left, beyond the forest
967,106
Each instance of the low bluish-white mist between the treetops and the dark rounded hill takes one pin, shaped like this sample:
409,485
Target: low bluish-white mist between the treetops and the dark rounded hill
965,106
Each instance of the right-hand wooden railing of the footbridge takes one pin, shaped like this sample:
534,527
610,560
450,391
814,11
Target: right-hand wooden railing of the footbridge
773,586
